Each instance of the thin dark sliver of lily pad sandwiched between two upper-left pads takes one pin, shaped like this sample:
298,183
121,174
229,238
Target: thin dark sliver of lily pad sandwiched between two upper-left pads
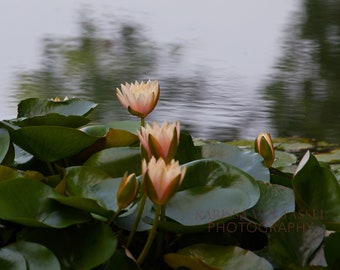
51,119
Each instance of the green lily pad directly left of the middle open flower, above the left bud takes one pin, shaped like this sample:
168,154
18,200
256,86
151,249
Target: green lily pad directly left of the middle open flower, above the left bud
116,161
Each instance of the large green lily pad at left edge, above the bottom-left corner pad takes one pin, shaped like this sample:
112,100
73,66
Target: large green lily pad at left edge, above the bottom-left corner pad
27,202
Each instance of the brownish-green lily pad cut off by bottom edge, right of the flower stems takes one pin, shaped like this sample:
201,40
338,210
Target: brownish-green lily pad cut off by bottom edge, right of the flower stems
210,257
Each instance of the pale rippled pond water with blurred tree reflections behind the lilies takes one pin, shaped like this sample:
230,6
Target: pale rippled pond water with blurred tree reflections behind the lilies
227,69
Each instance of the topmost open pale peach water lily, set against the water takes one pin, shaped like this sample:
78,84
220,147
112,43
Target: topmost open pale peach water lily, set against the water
139,98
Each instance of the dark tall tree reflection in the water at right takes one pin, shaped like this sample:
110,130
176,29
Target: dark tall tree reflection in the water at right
304,93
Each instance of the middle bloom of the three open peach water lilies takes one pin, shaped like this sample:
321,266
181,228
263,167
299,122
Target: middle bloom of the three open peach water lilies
160,141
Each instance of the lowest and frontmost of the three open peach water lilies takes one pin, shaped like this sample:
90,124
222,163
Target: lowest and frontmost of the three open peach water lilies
161,180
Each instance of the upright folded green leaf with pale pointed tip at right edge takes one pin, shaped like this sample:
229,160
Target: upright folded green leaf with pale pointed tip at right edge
316,189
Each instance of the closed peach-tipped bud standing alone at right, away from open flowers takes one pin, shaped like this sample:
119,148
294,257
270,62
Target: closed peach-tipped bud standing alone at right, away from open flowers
264,146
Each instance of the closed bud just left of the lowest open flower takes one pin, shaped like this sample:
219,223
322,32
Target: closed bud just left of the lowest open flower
127,190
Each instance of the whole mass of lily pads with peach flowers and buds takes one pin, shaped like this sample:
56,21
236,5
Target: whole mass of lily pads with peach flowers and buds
133,195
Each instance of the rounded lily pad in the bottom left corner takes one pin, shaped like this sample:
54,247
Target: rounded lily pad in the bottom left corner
25,255
